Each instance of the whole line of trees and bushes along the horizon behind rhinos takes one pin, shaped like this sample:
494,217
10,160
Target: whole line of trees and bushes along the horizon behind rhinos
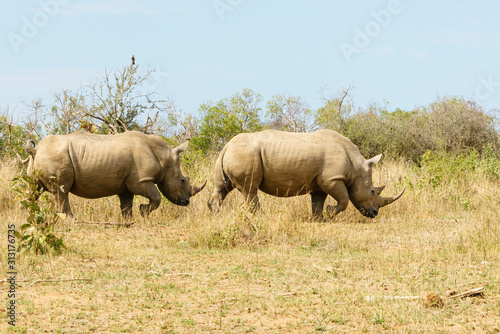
118,102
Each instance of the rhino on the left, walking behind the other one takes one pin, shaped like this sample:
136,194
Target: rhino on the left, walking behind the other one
127,164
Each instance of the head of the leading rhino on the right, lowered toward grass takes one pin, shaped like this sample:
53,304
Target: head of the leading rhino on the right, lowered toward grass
365,197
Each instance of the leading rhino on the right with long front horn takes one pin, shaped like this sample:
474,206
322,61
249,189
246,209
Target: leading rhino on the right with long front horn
286,164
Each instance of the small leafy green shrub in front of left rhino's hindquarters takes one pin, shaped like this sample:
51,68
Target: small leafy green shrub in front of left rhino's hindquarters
37,234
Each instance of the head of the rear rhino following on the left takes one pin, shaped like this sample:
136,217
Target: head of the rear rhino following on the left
174,185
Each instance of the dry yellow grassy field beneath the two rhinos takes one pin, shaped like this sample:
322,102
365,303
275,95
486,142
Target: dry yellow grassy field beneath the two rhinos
185,270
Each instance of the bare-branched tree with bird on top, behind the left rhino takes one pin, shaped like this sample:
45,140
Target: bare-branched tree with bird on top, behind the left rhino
119,102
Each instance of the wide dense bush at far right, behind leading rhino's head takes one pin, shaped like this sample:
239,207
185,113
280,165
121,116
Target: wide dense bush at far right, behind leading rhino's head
450,124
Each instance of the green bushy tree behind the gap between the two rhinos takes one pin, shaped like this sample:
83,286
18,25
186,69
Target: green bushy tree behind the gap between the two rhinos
226,118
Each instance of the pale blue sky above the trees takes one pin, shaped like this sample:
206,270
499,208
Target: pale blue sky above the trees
406,52
